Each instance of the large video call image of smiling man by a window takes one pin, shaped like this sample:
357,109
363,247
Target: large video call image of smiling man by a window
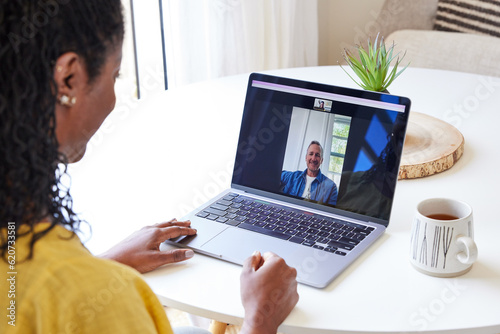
314,155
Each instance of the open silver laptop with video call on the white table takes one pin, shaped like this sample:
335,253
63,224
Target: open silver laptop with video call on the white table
314,177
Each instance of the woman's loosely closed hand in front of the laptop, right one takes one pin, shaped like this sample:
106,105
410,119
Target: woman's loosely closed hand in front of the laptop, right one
268,292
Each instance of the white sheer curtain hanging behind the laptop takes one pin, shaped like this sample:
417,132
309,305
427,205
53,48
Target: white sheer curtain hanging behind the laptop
206,39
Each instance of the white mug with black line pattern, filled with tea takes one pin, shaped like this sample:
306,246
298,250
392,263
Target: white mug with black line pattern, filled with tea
442,238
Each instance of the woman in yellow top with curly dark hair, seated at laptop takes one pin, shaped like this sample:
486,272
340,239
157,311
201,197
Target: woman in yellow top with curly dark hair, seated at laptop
59,60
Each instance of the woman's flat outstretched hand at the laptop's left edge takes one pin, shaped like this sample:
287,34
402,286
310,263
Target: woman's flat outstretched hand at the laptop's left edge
141,250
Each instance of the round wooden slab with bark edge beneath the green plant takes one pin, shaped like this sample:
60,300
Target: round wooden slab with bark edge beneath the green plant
431,146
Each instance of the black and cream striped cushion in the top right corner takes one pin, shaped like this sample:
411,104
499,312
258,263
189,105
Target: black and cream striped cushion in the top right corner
470,16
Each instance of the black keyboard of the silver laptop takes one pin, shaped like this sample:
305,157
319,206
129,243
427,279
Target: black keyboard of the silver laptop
311,230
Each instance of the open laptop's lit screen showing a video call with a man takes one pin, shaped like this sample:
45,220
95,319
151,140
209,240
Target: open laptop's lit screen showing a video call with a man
325,147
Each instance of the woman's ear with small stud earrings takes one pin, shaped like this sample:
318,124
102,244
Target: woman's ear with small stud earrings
69,74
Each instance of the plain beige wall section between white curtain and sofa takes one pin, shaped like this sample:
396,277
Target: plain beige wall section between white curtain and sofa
344,23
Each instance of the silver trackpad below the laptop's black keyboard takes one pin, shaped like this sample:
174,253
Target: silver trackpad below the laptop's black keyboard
236,245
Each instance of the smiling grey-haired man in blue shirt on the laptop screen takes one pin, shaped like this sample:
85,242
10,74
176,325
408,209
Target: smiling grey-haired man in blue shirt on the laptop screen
311,183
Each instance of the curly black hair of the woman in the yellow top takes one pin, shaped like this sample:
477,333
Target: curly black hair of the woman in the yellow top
33,34
